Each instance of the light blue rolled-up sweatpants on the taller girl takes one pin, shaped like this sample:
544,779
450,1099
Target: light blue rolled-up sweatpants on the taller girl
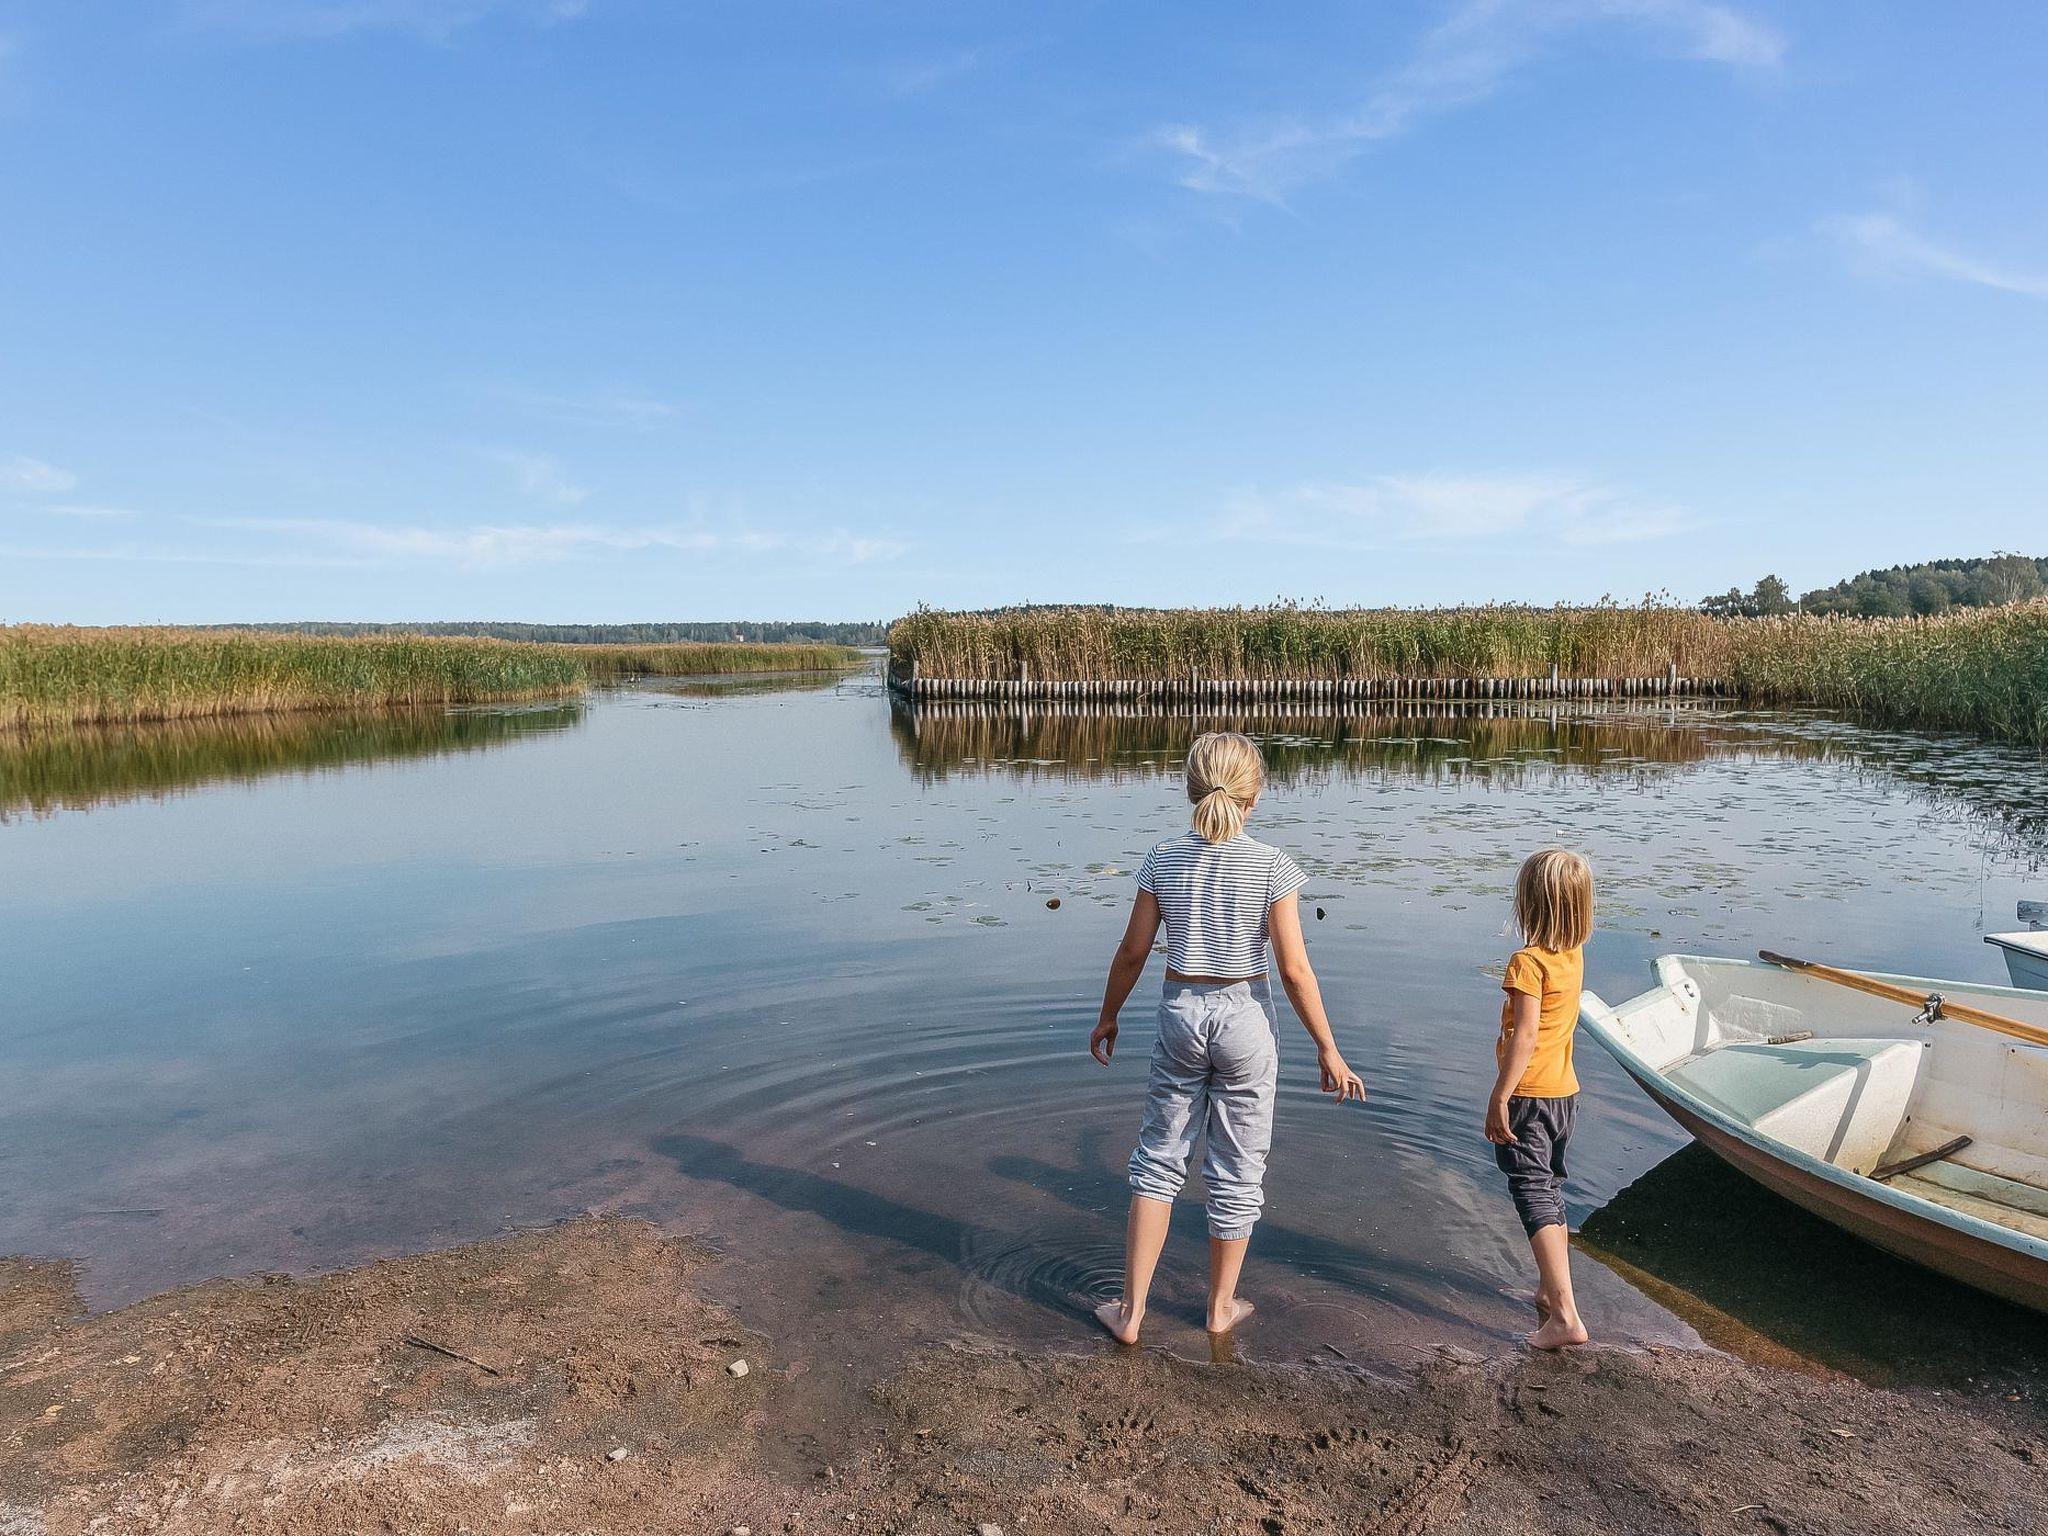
1213,1074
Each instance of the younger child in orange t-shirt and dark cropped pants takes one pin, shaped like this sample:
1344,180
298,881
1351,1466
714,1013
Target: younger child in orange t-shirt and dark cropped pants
1537,1095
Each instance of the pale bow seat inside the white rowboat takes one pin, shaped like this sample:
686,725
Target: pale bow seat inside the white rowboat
1838,1101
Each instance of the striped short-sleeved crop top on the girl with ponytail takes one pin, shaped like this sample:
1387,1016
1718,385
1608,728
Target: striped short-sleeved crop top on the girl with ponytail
1215,898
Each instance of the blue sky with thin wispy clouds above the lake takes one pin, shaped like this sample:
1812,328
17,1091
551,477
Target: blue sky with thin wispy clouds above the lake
591,310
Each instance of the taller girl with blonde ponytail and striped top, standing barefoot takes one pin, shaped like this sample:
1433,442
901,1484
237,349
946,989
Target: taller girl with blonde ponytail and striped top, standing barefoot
1215,1066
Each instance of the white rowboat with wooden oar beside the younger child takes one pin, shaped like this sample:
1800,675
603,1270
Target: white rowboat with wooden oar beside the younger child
1926,1138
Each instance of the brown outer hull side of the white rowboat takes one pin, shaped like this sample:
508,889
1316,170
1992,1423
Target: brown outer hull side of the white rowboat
1897,1230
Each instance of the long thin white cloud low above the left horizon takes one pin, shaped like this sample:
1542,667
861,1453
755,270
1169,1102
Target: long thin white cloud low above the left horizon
527,544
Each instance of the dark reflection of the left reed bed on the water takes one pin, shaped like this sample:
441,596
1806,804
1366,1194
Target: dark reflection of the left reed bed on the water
101,765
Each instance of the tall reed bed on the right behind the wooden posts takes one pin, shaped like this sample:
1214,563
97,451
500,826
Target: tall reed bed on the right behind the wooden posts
1981,671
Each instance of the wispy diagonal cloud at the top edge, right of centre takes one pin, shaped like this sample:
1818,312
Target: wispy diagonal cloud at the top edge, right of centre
1467,58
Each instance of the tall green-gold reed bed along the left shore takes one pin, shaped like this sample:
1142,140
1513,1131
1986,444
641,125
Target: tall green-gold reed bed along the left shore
56,675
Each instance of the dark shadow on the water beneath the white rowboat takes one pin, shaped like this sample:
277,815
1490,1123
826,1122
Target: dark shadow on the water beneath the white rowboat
1762,1279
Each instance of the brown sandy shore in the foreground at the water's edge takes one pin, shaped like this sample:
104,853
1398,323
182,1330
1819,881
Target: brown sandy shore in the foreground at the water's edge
599,1392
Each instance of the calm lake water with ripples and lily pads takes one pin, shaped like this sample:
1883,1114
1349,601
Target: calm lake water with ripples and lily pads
775,962
